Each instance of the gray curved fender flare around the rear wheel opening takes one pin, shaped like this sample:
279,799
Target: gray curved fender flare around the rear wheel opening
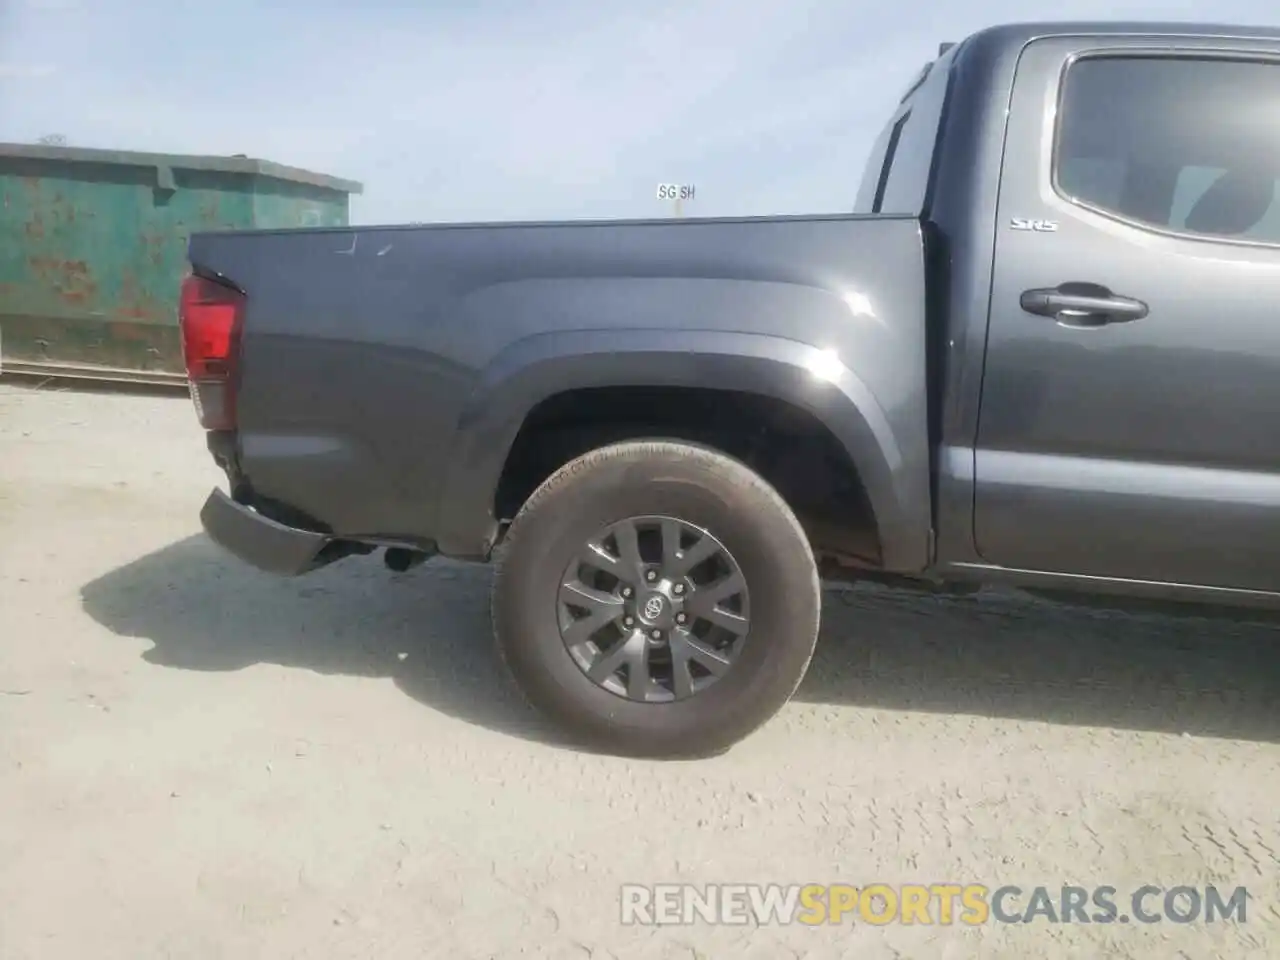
543,367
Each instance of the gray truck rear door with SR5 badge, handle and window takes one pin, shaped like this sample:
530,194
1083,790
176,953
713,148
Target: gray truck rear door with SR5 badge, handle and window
1131,409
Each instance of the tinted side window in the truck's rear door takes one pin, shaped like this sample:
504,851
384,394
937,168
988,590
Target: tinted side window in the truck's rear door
1177,144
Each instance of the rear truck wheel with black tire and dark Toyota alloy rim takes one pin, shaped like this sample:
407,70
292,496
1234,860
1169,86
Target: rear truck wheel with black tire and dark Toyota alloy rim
705,707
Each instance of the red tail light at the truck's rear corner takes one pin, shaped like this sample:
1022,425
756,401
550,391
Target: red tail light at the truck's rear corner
211,319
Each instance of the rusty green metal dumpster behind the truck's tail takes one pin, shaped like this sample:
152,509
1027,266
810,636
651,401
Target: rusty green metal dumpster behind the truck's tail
94,243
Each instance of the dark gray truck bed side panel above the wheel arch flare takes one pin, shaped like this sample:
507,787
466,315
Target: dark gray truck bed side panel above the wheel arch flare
371,354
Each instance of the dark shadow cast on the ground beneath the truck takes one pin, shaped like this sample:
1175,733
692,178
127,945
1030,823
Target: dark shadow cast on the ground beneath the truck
999,656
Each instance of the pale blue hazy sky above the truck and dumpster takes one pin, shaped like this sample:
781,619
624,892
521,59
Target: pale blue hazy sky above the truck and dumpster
510,109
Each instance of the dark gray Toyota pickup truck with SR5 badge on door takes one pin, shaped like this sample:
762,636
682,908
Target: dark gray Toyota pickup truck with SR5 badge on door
1043,351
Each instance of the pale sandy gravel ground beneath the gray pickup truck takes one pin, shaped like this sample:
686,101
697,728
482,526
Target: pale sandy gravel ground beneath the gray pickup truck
198,761
